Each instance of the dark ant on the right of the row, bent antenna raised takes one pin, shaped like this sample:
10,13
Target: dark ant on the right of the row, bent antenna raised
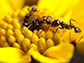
64,25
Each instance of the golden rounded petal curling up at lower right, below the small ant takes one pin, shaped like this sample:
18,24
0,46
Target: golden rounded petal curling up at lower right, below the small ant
62,52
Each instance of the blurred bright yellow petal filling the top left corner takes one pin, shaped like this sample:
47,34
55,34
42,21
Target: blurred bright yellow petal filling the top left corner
5,8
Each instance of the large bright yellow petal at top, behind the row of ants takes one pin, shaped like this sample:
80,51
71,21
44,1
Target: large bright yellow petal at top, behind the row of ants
58,6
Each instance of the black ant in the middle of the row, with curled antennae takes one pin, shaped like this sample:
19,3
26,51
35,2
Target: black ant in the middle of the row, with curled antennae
37,24
